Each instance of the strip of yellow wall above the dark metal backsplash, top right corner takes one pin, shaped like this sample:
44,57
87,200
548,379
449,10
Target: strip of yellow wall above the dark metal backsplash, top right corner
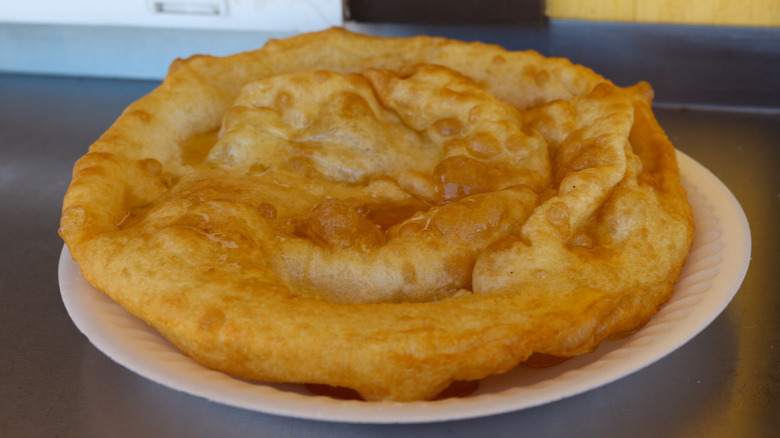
716,12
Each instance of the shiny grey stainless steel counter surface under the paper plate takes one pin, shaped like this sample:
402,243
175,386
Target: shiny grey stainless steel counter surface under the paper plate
723,383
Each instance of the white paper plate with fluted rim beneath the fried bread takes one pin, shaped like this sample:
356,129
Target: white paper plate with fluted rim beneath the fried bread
713,273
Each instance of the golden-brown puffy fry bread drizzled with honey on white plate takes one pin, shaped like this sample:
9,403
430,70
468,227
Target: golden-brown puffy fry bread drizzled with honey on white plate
389,215
